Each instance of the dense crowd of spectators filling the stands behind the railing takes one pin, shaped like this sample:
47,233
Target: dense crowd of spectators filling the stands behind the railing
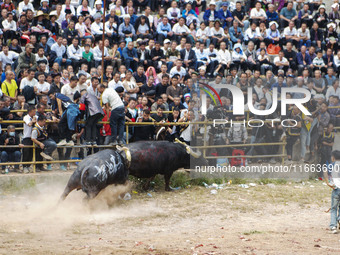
154,58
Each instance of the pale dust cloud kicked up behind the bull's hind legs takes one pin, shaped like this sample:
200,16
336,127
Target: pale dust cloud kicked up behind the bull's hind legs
37,211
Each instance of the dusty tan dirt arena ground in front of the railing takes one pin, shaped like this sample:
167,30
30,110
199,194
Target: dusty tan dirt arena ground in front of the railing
266,219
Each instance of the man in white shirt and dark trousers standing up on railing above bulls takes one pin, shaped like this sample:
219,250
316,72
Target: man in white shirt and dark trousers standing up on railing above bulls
113,102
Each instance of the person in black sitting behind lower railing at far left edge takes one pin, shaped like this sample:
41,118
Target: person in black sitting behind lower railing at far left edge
10,154
